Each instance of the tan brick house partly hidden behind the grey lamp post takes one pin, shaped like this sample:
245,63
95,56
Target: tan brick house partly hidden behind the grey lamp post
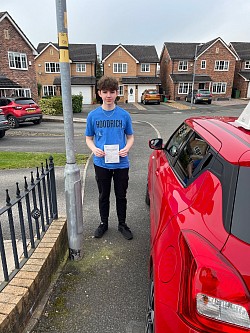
83,59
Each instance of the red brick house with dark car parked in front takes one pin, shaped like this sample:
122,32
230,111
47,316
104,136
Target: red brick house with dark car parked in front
210,65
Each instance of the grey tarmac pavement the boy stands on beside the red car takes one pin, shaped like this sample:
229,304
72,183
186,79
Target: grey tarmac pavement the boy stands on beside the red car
107,290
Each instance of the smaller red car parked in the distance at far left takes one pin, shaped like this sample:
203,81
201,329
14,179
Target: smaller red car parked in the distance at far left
20,109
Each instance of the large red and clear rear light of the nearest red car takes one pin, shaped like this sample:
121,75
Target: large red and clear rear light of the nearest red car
214,295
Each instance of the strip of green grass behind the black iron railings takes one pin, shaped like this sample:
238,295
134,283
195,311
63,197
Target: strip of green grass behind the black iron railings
19,160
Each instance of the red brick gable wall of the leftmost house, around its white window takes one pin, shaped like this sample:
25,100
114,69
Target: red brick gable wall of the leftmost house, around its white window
16,43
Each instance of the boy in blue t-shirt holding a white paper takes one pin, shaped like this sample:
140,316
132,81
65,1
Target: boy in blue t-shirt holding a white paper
109,135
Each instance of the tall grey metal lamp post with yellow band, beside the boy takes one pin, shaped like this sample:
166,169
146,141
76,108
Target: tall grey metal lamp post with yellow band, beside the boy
72,173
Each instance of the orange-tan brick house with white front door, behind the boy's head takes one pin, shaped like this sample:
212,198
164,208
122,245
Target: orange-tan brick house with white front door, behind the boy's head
134,66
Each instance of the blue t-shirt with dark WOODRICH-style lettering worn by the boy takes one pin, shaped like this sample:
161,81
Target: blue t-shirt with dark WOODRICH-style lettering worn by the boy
109,128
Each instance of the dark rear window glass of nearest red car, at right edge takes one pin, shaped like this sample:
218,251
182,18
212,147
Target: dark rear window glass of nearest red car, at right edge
241,213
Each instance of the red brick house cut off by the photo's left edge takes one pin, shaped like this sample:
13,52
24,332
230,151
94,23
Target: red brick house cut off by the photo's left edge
17,60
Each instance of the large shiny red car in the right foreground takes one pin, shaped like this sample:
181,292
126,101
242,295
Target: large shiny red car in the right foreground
199,194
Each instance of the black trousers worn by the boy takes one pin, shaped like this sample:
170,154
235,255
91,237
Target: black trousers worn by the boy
120,178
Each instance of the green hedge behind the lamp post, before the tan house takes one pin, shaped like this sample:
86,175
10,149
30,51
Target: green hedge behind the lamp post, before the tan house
53,106
